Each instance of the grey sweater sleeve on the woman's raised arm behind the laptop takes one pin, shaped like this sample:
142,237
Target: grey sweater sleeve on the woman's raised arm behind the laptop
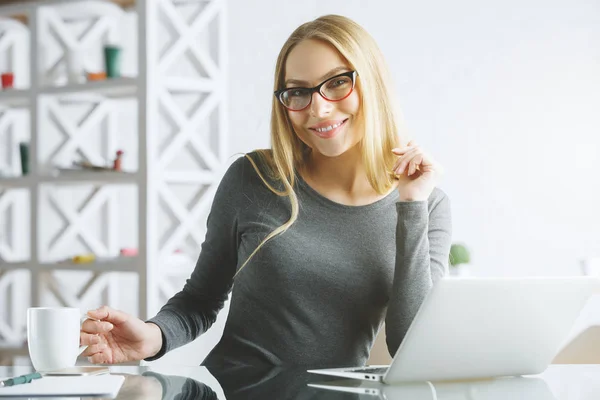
423,239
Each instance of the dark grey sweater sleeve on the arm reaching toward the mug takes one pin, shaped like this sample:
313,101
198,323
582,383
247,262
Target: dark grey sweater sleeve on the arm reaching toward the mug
194,309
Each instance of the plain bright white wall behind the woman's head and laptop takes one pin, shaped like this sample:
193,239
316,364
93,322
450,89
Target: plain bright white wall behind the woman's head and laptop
504,94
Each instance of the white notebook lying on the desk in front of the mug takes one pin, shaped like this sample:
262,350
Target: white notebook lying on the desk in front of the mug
101,385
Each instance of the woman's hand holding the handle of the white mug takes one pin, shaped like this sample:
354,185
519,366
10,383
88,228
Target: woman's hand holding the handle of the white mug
113,336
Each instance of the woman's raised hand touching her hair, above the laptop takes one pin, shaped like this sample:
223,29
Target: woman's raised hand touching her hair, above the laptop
416,171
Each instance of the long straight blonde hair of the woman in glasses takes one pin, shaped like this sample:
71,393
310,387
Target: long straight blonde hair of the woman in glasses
378,112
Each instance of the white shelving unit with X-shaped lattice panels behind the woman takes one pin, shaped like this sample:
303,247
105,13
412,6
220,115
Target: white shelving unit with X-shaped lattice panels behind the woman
178,102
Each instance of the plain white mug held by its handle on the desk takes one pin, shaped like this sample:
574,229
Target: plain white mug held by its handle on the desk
53,337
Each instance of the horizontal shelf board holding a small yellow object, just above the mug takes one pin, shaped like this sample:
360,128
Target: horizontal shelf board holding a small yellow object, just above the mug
119,264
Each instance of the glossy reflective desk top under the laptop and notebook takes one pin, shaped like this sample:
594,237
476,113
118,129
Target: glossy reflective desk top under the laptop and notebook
558,382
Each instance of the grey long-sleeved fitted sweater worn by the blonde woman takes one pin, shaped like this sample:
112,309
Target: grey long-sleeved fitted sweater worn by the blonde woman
317,294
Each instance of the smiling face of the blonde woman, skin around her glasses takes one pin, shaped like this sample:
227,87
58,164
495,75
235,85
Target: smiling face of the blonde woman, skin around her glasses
328,127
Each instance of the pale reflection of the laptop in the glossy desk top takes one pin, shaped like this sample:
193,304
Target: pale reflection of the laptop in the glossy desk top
513,388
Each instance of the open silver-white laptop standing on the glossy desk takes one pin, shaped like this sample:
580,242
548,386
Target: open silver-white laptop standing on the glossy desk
470,328
